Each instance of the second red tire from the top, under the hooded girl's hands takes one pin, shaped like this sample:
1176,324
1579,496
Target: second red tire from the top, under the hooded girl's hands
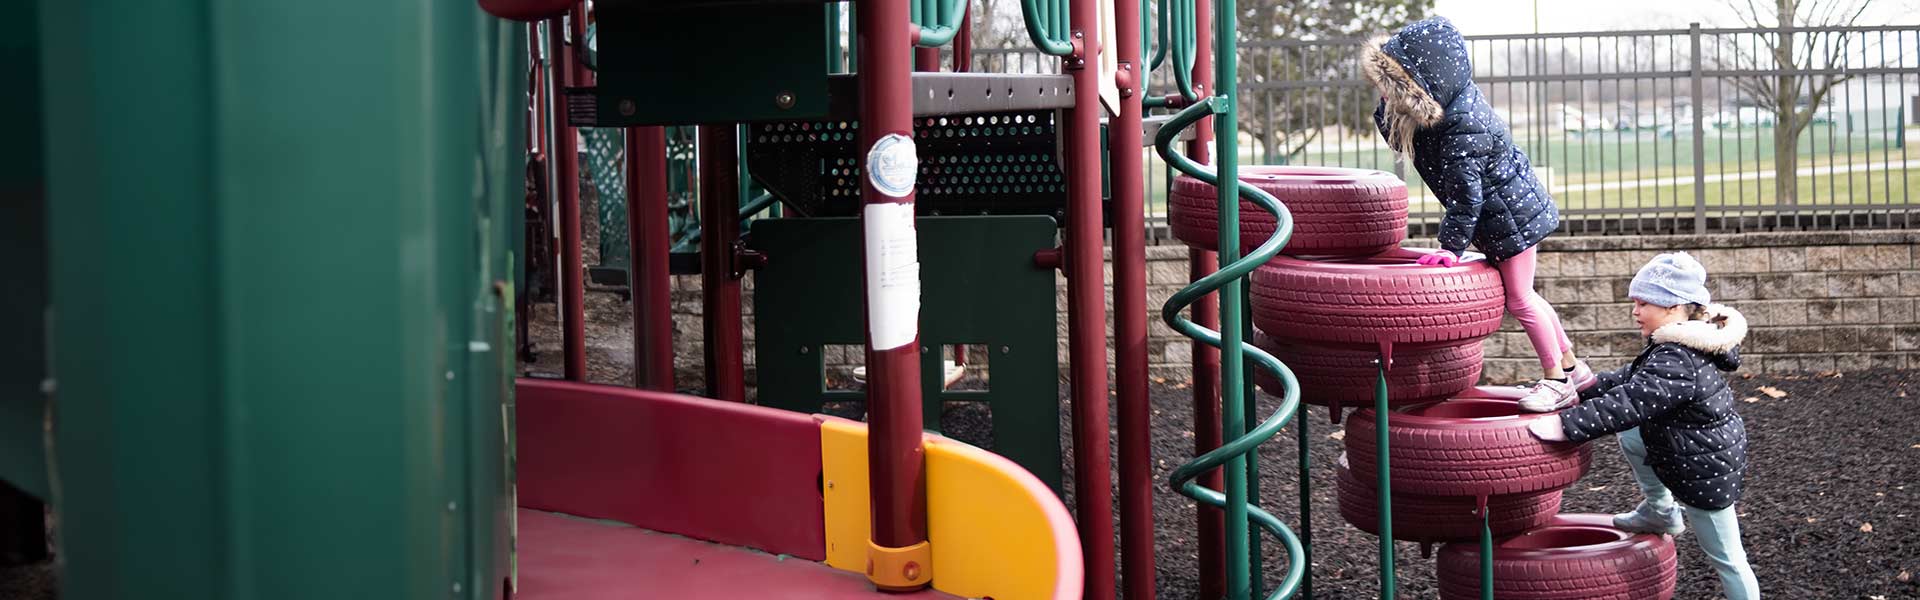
1383,297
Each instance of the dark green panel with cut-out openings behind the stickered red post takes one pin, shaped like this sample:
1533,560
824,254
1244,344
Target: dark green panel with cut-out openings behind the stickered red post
978,286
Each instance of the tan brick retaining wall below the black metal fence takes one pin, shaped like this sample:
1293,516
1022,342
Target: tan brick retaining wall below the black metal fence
1836,301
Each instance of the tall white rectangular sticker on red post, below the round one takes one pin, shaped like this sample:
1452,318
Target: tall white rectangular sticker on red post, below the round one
892,276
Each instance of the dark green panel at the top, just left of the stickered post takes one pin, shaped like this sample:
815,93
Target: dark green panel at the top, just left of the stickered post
709,64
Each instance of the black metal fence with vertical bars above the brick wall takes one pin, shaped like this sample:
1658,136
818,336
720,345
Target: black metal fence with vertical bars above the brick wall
1633,132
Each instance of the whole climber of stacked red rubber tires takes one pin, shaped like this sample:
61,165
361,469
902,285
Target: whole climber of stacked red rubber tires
1347,297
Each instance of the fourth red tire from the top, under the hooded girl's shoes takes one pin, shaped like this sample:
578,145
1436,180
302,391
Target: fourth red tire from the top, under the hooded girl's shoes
1466,447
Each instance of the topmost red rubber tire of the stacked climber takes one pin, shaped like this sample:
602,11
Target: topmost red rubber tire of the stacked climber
1337,212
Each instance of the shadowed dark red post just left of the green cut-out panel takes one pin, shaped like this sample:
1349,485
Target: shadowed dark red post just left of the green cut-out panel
727,376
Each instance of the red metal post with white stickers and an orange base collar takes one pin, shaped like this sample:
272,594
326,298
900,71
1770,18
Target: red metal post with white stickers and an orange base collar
900,557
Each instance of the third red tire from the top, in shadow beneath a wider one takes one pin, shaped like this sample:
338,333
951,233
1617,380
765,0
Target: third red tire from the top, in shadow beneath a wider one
1345,378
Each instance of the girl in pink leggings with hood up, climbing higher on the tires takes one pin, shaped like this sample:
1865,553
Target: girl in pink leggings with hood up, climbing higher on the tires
1435,114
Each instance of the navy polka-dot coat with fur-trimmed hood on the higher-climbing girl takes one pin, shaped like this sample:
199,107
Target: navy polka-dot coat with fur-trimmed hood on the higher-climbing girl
1458,143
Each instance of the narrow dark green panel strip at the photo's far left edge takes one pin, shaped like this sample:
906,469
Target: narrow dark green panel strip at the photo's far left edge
24,243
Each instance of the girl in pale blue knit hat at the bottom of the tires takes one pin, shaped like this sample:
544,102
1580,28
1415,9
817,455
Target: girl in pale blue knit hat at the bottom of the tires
1675,416
